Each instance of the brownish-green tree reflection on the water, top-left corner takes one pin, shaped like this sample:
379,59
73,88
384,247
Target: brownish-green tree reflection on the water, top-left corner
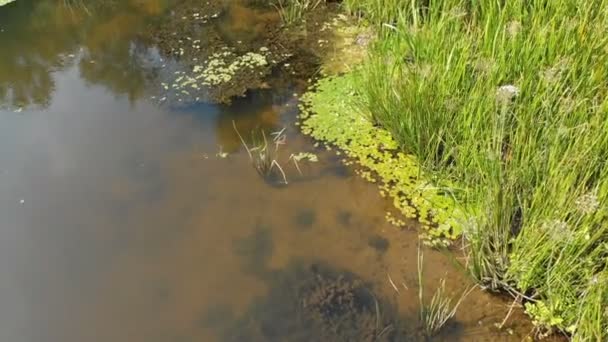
41,37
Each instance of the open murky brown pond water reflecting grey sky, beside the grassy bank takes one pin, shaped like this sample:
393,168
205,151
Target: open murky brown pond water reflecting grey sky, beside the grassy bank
120,222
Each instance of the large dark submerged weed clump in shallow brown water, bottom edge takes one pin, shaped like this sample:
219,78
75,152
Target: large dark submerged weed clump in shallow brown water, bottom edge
311,302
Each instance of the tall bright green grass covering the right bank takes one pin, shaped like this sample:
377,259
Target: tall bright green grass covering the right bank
509,100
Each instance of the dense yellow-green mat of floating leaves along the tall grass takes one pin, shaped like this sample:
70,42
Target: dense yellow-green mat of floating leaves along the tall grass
331,113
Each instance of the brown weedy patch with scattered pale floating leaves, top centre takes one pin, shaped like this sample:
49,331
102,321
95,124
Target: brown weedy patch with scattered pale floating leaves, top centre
232,63
